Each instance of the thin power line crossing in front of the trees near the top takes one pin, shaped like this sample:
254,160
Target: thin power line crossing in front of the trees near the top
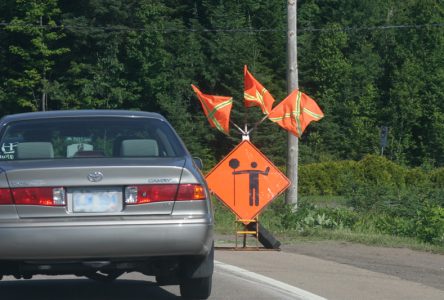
122,28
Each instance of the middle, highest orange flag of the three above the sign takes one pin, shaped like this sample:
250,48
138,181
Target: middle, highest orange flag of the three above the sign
255,94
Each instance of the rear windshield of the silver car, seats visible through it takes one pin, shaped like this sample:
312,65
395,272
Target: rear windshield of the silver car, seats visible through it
89,137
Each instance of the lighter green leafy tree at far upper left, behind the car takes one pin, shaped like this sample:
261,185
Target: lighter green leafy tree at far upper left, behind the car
34,48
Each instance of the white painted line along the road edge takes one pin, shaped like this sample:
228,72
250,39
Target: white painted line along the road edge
289,289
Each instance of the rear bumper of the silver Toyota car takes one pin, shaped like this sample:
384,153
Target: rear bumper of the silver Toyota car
64,239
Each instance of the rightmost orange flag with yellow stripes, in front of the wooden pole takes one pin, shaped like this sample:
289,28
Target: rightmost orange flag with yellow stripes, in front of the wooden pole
295,112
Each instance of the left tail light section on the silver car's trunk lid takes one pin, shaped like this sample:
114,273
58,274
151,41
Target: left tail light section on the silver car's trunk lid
46,196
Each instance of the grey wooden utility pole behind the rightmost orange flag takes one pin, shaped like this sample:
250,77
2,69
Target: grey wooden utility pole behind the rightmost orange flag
291,196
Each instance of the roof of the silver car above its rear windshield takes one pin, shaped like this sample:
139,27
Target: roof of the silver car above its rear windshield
81,113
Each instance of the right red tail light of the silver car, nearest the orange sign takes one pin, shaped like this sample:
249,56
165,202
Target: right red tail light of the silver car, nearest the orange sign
139,194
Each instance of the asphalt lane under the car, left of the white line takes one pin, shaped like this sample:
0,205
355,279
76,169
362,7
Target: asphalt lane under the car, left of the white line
132,286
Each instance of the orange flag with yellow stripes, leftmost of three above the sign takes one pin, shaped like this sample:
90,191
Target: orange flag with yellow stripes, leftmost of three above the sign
217,109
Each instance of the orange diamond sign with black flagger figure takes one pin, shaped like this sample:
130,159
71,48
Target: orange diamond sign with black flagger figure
246,181
